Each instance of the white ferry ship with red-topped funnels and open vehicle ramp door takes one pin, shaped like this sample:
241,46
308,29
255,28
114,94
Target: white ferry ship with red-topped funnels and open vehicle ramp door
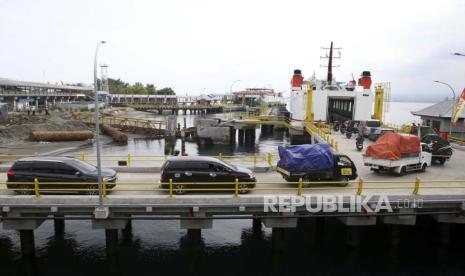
329,100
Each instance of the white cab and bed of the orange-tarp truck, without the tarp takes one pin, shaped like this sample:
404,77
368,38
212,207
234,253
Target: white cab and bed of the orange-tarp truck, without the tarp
413,162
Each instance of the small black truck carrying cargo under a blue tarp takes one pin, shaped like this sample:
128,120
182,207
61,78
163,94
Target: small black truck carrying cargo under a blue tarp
314,162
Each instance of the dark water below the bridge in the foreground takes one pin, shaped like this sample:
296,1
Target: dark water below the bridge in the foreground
150,249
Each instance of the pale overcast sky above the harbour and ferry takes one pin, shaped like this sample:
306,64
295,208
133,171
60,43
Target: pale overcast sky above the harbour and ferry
196,46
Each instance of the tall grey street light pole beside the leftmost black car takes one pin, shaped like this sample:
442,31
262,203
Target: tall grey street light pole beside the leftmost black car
97,129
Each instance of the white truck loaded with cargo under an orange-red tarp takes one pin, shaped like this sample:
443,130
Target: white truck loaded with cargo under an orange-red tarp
397,153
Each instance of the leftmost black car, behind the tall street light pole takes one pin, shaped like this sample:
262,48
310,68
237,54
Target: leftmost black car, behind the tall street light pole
81,176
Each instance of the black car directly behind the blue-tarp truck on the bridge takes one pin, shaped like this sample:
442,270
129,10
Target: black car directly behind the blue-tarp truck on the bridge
198,172
